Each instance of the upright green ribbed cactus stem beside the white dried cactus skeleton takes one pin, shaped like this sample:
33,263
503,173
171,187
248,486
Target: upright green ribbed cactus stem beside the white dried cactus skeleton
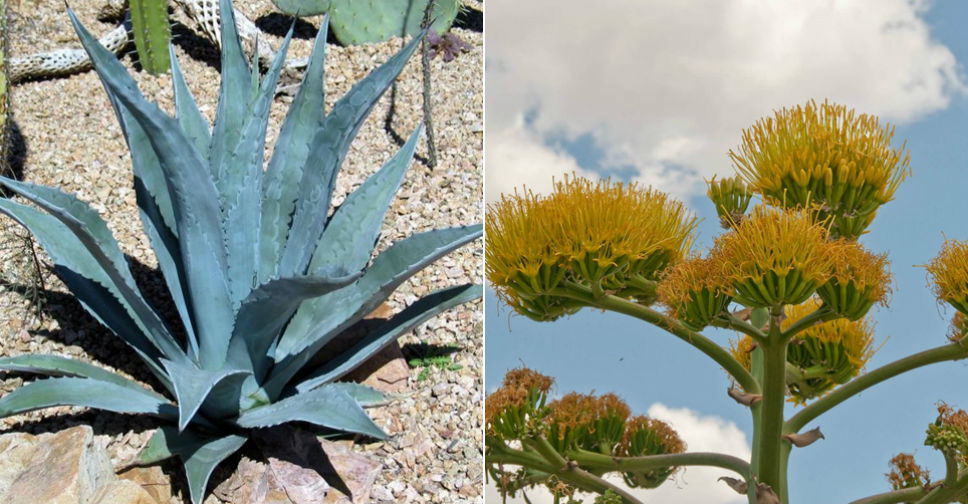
149,22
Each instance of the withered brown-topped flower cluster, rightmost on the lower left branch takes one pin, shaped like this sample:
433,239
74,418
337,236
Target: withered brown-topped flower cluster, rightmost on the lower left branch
649,436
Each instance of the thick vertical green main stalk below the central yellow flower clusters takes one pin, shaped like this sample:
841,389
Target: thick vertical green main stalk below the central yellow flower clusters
768,460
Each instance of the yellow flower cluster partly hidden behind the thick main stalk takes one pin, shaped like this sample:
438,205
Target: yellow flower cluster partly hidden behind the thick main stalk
822,356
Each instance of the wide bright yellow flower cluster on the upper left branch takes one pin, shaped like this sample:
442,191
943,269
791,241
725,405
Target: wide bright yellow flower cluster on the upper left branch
599,234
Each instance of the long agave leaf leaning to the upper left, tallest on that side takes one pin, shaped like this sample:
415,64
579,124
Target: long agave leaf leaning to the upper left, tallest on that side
194,199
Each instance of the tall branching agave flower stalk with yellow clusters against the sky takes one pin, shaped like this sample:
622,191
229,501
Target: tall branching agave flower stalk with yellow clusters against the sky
789,276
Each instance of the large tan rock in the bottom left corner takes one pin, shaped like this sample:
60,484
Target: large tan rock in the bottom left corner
64,467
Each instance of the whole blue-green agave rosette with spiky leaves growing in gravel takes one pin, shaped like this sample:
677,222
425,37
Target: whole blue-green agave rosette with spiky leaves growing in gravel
261,279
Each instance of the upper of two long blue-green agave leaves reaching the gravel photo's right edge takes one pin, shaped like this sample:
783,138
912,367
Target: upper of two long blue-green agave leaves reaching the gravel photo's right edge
318,320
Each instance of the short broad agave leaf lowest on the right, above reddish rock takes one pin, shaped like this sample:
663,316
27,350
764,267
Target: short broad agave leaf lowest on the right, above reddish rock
326,407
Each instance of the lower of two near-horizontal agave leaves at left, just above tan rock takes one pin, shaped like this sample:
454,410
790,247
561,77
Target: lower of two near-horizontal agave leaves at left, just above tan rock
87,392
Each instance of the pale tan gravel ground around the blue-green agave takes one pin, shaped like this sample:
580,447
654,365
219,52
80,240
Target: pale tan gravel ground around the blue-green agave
66,136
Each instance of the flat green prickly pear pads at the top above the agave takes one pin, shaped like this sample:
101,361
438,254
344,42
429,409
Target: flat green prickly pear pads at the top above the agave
362,21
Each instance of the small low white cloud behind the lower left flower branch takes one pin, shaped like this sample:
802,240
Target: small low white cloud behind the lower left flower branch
694,484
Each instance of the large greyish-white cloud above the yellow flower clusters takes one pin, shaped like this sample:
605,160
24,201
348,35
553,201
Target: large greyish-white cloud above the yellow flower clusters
664,86
